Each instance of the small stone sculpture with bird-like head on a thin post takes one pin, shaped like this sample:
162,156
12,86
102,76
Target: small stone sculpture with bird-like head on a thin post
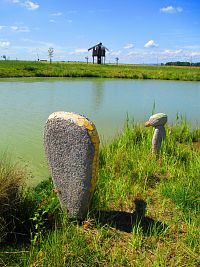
157,121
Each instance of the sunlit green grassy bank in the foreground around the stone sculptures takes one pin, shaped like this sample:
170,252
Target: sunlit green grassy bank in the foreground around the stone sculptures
145,210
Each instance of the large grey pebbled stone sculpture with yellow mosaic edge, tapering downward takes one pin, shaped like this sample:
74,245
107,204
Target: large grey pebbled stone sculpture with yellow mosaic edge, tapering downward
72,150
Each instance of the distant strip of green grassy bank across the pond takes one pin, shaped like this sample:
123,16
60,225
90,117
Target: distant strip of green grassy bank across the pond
10,69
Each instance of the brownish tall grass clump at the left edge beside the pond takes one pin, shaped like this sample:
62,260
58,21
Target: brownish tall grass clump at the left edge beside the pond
12,177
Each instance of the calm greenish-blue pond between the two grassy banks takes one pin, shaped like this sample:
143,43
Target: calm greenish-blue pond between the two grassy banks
26,104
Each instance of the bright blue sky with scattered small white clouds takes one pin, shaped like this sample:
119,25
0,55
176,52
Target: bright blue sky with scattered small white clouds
134,31
